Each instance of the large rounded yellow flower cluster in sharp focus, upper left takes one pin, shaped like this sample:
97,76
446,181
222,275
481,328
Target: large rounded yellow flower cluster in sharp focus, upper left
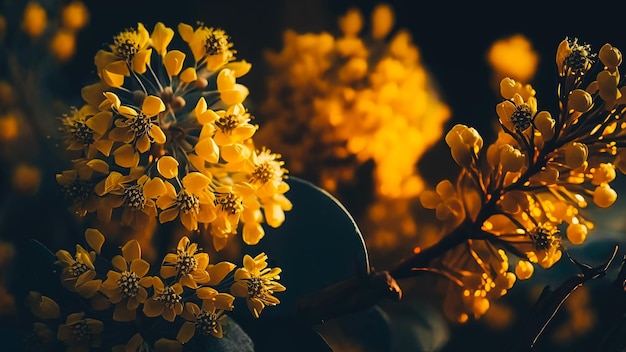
164,134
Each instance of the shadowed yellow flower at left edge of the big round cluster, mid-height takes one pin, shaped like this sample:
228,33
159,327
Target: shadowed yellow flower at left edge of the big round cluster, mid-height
85,129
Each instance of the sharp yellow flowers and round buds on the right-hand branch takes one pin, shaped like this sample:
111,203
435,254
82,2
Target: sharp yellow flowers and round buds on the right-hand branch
526,193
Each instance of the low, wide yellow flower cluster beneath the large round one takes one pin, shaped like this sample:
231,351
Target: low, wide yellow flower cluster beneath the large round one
128,301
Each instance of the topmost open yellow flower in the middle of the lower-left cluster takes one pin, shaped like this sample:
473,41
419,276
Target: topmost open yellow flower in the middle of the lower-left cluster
188,264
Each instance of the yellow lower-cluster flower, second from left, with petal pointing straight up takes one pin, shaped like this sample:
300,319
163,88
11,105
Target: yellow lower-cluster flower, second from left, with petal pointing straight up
125,286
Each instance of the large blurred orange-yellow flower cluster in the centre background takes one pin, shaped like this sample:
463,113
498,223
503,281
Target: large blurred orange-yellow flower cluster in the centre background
336,103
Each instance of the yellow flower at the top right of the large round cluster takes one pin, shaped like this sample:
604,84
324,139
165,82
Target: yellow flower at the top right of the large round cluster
209,45
